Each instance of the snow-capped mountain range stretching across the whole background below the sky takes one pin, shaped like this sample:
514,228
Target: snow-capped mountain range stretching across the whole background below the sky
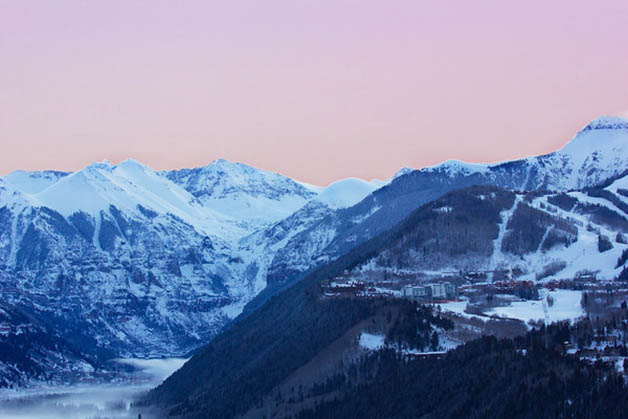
121,260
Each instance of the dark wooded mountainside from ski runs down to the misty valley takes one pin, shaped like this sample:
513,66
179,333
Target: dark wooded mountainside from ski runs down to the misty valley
462,230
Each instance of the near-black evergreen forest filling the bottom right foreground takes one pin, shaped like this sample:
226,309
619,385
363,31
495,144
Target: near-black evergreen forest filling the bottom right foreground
528,377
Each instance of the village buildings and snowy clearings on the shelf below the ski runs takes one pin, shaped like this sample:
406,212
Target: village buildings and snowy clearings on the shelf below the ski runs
494,302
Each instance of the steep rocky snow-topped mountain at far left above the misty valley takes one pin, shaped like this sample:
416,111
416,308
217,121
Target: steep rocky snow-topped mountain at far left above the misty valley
115,255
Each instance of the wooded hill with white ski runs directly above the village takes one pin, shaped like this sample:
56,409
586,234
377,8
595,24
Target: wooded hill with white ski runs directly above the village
533,235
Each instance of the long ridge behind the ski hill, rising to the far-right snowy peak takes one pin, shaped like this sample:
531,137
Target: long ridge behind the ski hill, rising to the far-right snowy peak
597,153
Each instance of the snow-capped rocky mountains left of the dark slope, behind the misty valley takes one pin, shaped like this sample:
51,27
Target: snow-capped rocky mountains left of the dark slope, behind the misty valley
125,260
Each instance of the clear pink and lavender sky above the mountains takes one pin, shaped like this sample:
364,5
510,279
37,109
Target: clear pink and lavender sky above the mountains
315,90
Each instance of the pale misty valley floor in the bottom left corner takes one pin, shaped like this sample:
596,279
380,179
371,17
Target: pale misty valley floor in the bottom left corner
88,400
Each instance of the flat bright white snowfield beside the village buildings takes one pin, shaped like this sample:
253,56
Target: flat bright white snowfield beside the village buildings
566,306
